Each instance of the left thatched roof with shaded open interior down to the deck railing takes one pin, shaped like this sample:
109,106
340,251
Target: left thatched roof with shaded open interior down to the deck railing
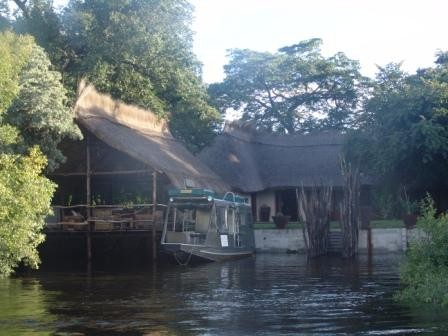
123,145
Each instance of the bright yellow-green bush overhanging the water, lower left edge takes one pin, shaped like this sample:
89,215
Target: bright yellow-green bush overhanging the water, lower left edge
25,198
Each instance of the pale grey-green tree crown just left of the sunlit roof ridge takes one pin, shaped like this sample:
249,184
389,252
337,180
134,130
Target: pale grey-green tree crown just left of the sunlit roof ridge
40,111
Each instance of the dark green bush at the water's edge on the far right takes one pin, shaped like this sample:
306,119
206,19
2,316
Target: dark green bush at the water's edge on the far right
424,273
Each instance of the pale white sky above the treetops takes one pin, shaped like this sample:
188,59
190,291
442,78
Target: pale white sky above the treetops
373,32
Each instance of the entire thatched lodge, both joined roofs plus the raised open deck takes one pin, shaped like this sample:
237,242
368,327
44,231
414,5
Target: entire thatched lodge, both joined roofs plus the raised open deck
113,188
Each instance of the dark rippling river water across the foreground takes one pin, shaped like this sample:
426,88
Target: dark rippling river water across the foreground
263,295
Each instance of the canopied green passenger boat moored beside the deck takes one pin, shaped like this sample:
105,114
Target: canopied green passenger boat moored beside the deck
200,224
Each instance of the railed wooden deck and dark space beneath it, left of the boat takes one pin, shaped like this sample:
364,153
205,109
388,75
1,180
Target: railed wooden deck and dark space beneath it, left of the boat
82,233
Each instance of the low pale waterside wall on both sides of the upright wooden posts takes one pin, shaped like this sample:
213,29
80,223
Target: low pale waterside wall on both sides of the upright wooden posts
291,240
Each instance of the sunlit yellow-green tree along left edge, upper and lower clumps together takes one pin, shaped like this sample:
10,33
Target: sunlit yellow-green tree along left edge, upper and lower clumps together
25,195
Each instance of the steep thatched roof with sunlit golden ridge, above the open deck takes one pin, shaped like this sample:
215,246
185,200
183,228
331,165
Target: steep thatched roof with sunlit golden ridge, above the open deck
141,135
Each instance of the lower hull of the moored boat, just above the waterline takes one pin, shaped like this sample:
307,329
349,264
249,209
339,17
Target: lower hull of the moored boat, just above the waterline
206,253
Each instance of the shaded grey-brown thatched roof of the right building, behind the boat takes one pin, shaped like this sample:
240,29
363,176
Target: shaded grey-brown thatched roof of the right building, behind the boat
252,161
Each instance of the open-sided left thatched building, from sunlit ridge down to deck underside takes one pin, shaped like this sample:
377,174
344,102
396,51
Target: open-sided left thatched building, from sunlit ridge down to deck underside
113,188
